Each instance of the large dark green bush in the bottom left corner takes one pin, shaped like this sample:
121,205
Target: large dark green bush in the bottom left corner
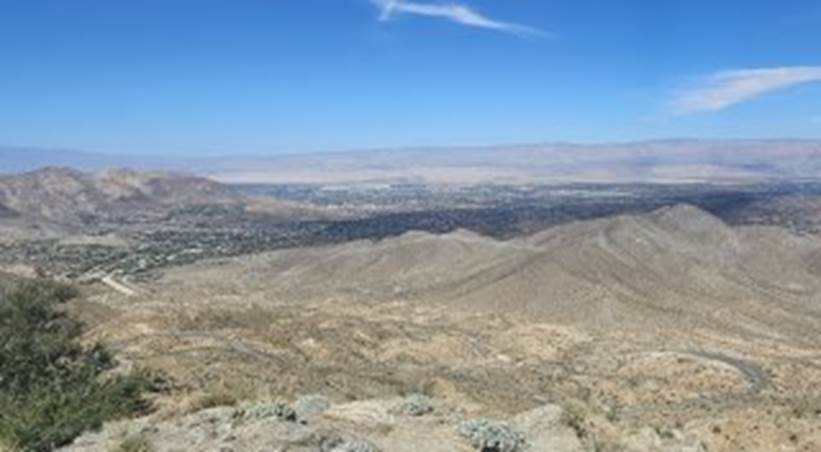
51,387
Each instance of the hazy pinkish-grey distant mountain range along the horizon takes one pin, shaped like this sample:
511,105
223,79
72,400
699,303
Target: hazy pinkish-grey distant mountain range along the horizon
668,161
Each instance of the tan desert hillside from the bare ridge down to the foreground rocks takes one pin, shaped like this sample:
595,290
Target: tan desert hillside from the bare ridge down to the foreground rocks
664,331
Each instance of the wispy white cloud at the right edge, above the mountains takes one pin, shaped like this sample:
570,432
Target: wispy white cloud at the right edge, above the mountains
727,88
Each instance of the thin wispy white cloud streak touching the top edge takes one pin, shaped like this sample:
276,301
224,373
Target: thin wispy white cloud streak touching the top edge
455,12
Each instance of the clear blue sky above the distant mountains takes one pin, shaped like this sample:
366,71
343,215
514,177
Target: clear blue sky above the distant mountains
218,76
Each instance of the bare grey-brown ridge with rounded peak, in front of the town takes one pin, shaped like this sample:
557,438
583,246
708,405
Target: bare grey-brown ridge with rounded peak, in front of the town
678,267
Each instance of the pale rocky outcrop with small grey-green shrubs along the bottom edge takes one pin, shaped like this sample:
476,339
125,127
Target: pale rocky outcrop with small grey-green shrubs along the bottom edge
366,426
